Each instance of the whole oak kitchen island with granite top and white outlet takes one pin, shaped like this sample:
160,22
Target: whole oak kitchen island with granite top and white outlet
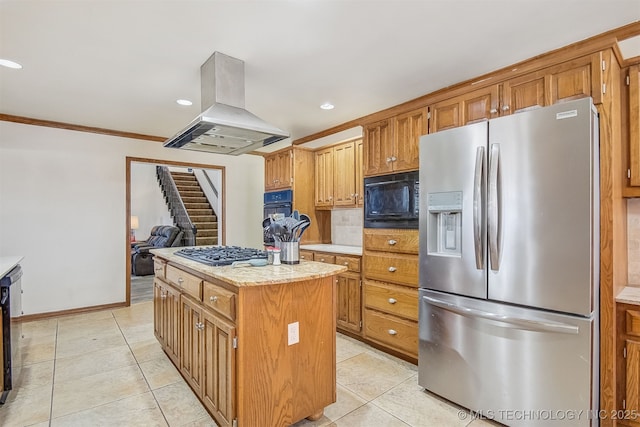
256,344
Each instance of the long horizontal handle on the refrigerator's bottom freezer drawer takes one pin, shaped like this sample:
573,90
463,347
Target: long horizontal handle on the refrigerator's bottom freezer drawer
528,324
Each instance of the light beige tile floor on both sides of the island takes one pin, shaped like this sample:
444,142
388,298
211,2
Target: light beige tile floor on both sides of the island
107,369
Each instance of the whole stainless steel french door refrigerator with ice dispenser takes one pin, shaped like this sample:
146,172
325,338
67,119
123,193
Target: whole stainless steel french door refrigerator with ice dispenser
509,266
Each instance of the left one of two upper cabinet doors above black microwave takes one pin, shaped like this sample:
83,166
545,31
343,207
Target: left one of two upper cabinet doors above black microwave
378,148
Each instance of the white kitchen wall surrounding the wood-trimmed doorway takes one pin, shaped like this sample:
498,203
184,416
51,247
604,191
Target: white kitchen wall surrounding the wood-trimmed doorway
63,207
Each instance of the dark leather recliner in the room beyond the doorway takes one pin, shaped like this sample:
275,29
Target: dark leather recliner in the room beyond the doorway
162,236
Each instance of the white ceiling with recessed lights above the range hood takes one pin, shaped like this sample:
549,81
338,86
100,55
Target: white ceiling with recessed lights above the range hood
121,65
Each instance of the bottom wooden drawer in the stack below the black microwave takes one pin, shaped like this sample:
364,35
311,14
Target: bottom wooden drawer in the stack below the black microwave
398,334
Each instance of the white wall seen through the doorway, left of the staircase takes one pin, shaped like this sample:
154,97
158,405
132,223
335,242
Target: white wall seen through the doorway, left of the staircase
147,200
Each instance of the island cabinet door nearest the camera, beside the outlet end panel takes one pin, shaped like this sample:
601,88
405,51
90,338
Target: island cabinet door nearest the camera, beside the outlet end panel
219,368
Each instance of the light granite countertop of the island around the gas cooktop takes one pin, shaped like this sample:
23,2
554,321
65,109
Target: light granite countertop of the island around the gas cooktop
255,276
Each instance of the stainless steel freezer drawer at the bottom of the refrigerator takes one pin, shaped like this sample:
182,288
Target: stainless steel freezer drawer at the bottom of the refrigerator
497,360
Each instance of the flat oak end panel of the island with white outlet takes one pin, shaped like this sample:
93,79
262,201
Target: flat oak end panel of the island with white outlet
286,383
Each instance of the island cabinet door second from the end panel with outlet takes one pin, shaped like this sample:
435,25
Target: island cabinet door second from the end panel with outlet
191,354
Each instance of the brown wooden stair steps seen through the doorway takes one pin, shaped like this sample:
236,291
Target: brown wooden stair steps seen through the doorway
200,211
